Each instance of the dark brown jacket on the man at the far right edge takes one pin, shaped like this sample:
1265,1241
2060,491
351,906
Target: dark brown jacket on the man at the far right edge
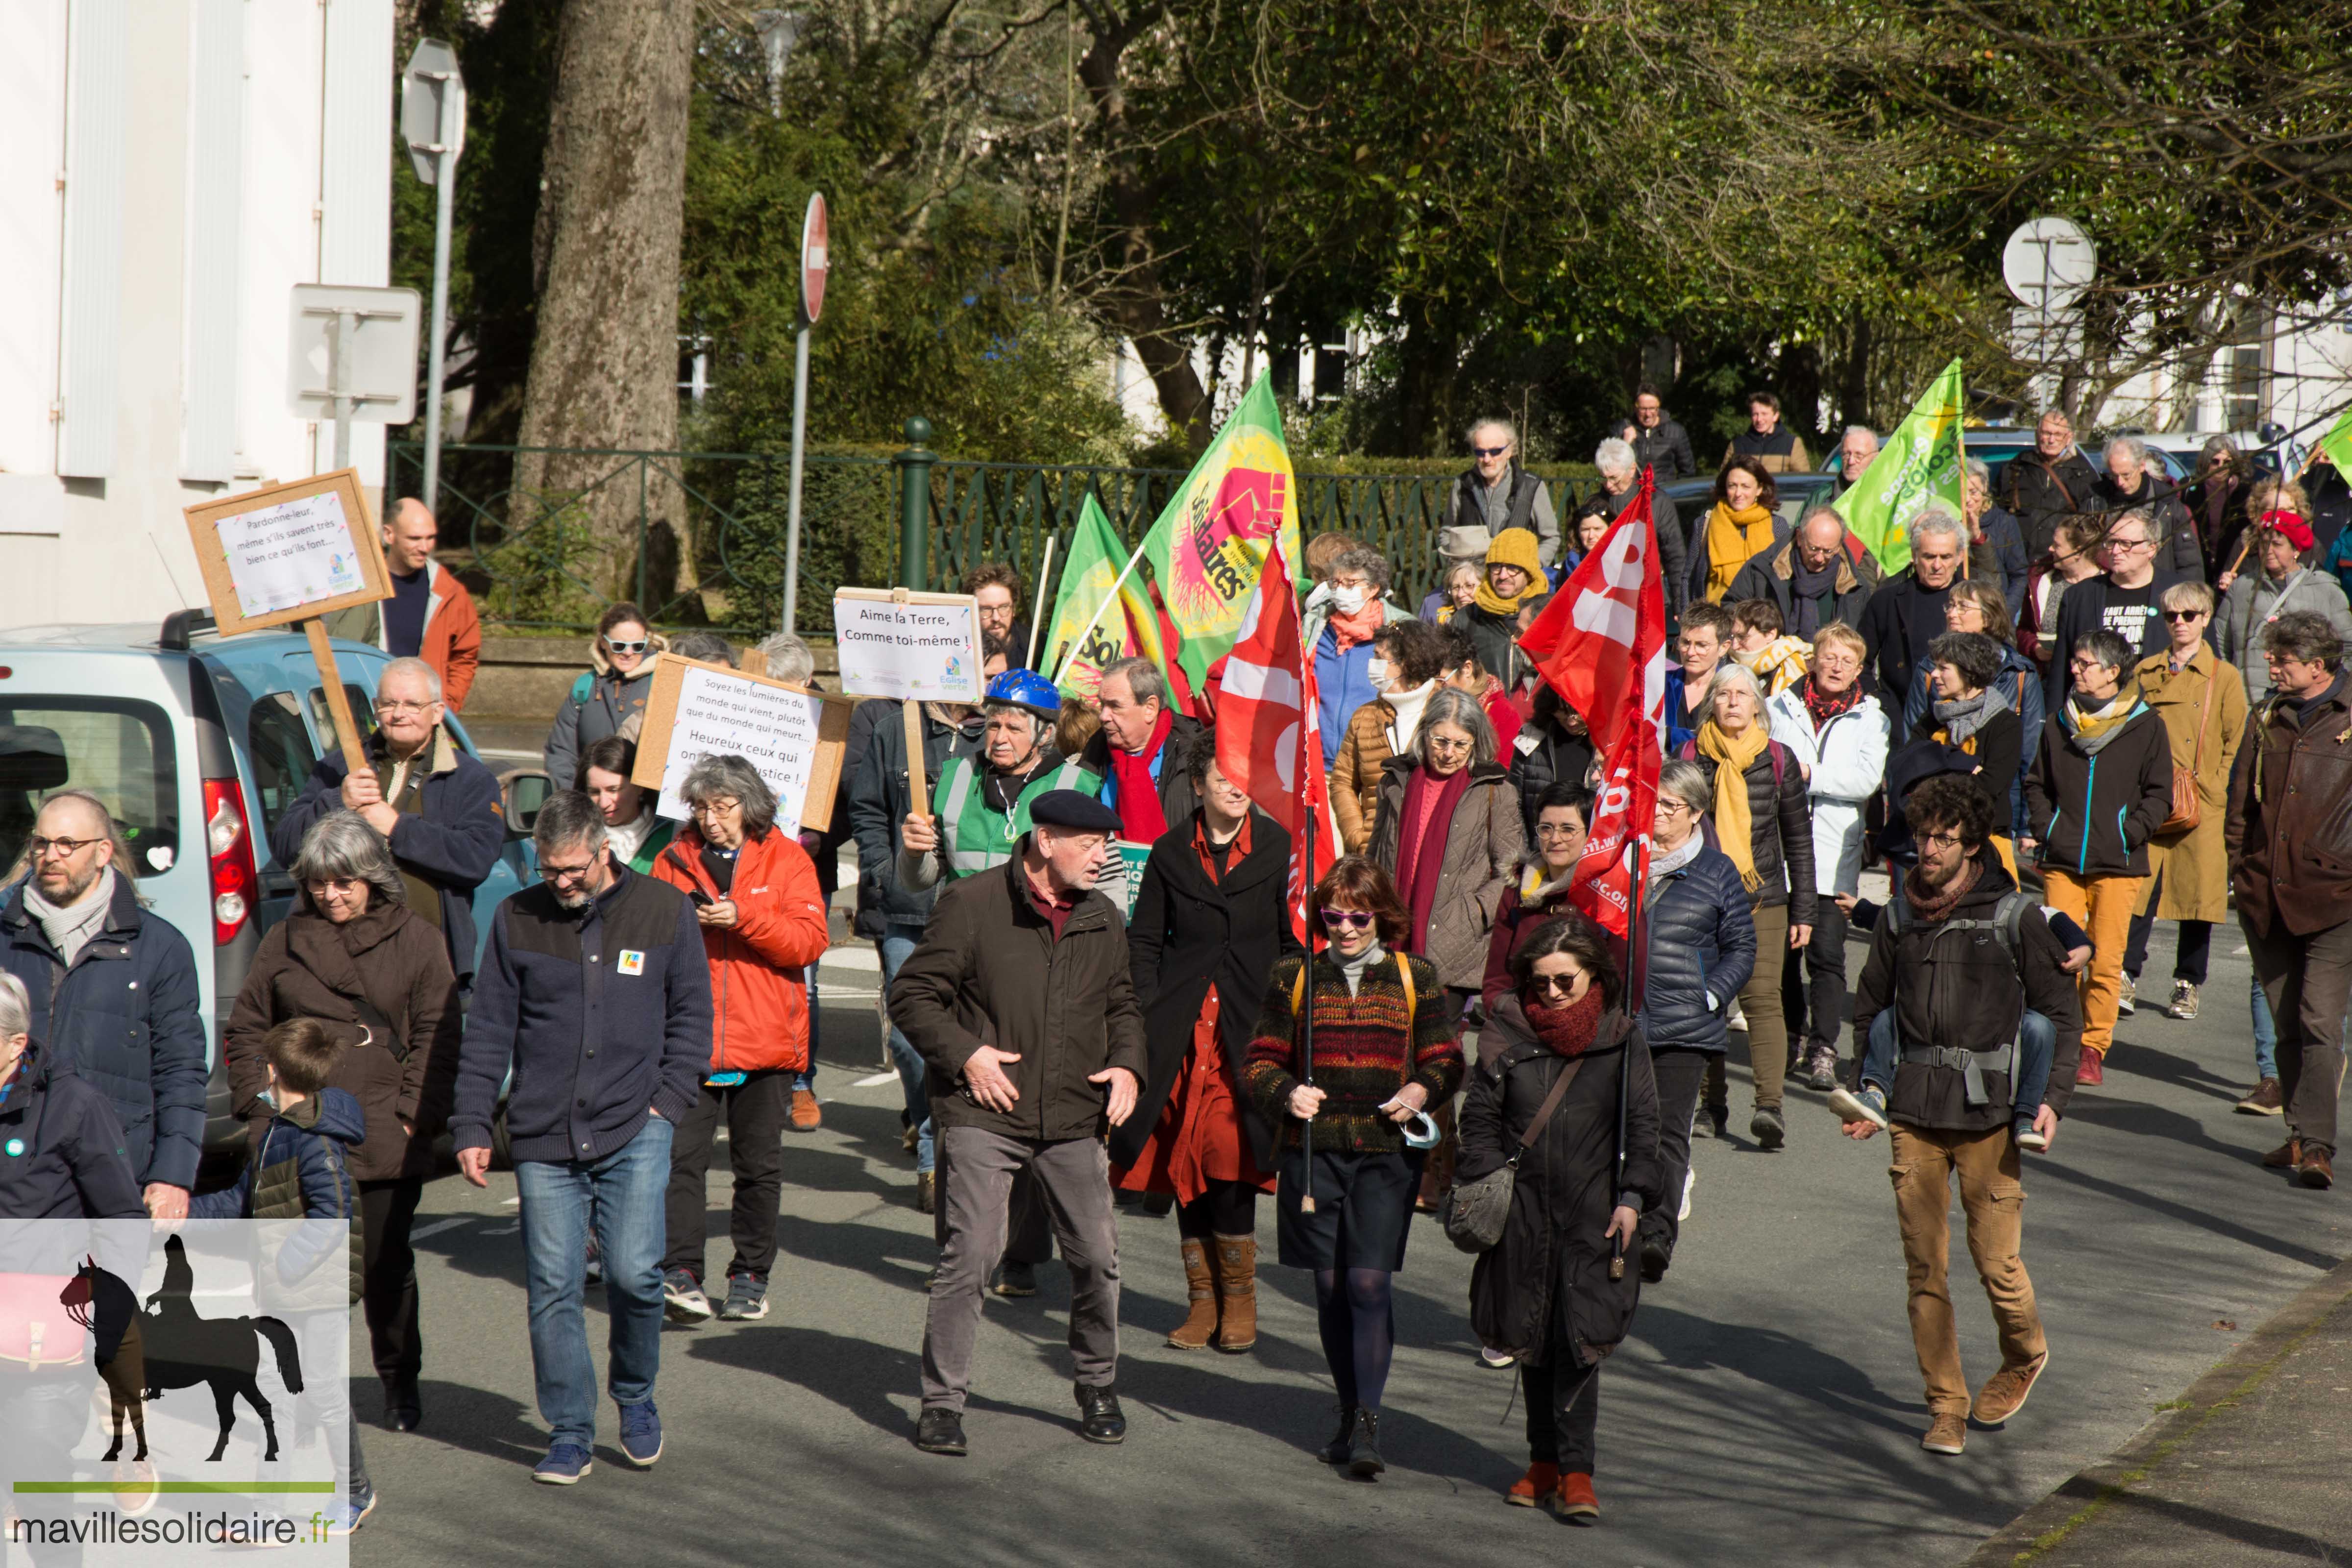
2292,817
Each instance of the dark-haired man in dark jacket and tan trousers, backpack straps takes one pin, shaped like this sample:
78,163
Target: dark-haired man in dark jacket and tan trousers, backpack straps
1958,963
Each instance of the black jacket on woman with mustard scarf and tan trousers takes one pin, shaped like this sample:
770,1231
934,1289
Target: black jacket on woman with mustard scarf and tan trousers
2097,815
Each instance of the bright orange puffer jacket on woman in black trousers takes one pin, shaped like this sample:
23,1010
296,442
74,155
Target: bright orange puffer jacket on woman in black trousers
761,965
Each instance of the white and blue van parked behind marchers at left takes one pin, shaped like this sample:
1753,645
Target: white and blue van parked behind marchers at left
196,744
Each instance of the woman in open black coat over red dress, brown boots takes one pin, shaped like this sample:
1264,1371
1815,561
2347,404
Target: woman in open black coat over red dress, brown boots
1210,923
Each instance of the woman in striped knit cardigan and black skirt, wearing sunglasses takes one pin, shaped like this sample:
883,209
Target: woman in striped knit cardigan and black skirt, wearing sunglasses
1384,1054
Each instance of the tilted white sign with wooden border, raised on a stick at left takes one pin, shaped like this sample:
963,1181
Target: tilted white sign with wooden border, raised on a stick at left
288,551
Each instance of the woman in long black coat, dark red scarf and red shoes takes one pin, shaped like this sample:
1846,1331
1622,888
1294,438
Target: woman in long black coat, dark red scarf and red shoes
1556,1289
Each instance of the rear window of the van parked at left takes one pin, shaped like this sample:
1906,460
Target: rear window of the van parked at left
116,749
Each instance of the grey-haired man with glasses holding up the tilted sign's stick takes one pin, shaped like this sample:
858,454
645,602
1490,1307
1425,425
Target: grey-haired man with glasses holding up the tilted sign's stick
429,798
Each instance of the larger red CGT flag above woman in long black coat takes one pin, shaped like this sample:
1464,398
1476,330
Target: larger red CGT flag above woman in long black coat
1601,645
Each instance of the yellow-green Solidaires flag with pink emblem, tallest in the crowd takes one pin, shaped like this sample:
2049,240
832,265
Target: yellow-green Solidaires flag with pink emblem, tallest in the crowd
1210,544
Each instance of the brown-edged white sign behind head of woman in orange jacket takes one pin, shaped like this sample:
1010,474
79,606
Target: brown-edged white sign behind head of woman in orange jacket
791,737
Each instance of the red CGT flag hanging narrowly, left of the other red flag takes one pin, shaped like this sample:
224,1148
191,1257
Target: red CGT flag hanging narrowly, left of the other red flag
1267,737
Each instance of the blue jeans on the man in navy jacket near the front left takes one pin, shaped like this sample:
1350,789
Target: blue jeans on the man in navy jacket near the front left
620,1195
